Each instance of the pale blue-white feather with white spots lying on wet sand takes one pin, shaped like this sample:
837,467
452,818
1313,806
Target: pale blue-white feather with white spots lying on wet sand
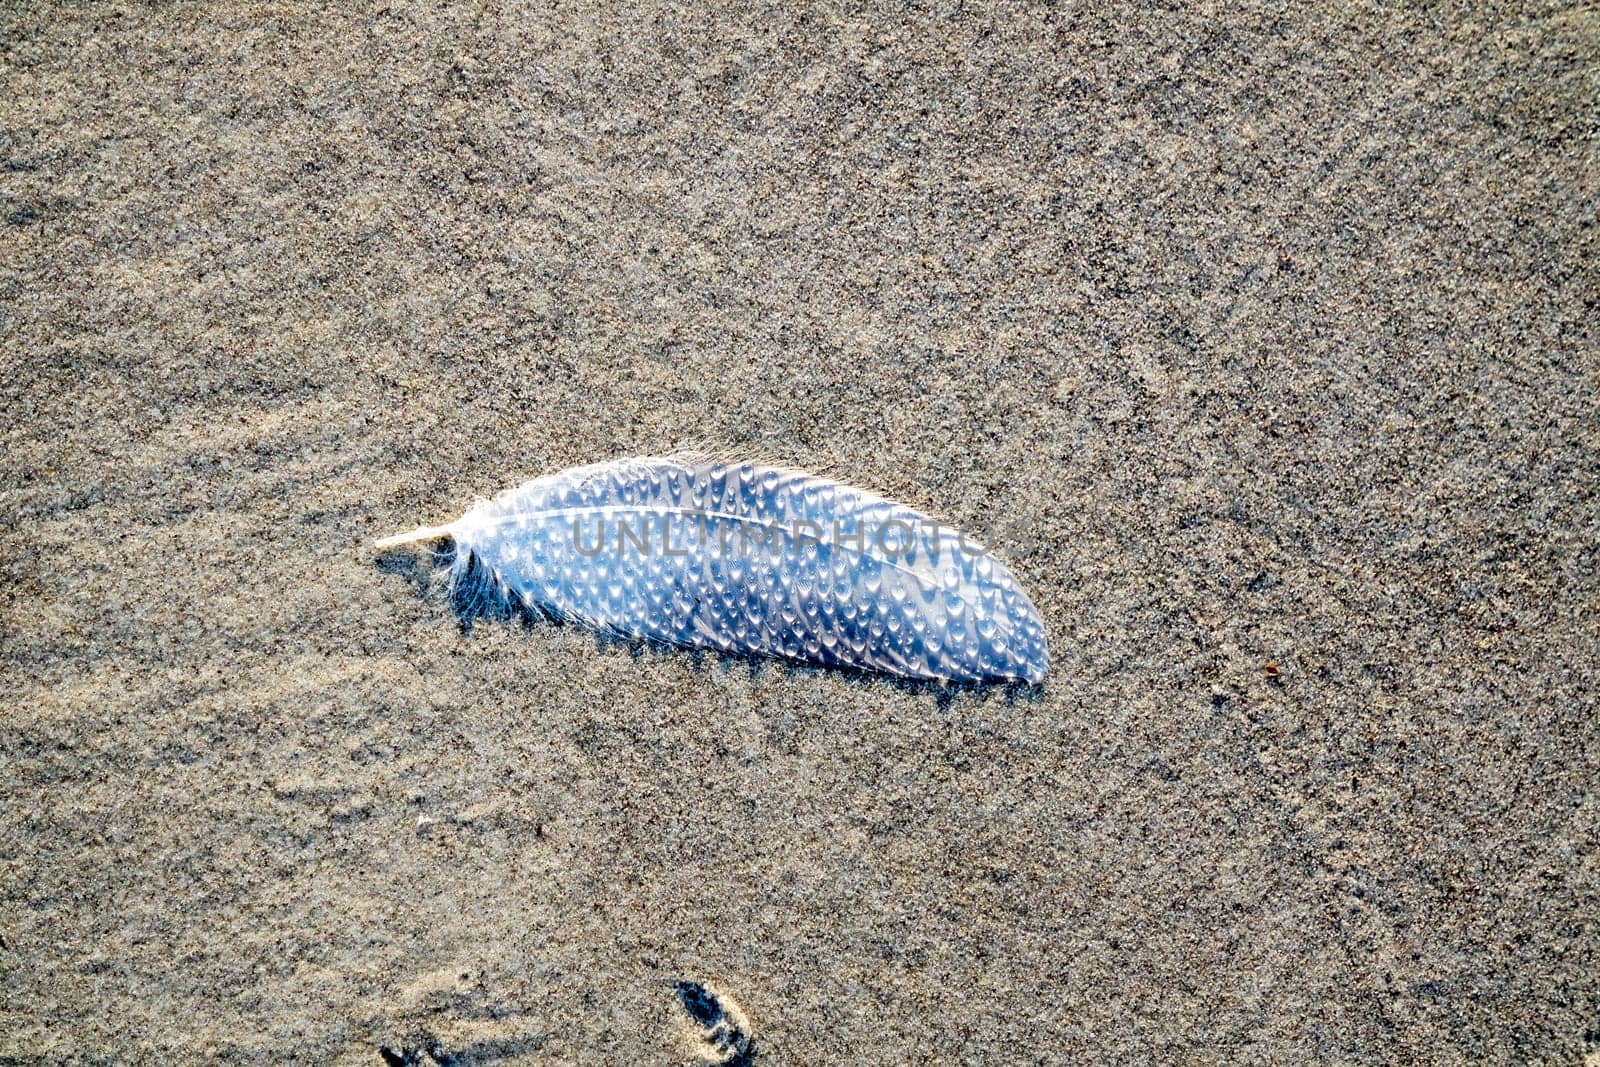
751,559
